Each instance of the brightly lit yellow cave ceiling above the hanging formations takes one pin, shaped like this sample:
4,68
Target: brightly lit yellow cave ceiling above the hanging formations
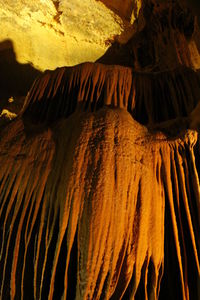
51,33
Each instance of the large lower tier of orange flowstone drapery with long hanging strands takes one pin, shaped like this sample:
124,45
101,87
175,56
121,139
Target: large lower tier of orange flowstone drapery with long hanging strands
74,207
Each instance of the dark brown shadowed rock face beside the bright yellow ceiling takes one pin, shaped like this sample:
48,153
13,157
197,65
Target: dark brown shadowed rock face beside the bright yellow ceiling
164,37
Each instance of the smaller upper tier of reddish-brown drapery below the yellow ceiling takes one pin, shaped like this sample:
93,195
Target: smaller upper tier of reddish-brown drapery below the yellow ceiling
149,97
